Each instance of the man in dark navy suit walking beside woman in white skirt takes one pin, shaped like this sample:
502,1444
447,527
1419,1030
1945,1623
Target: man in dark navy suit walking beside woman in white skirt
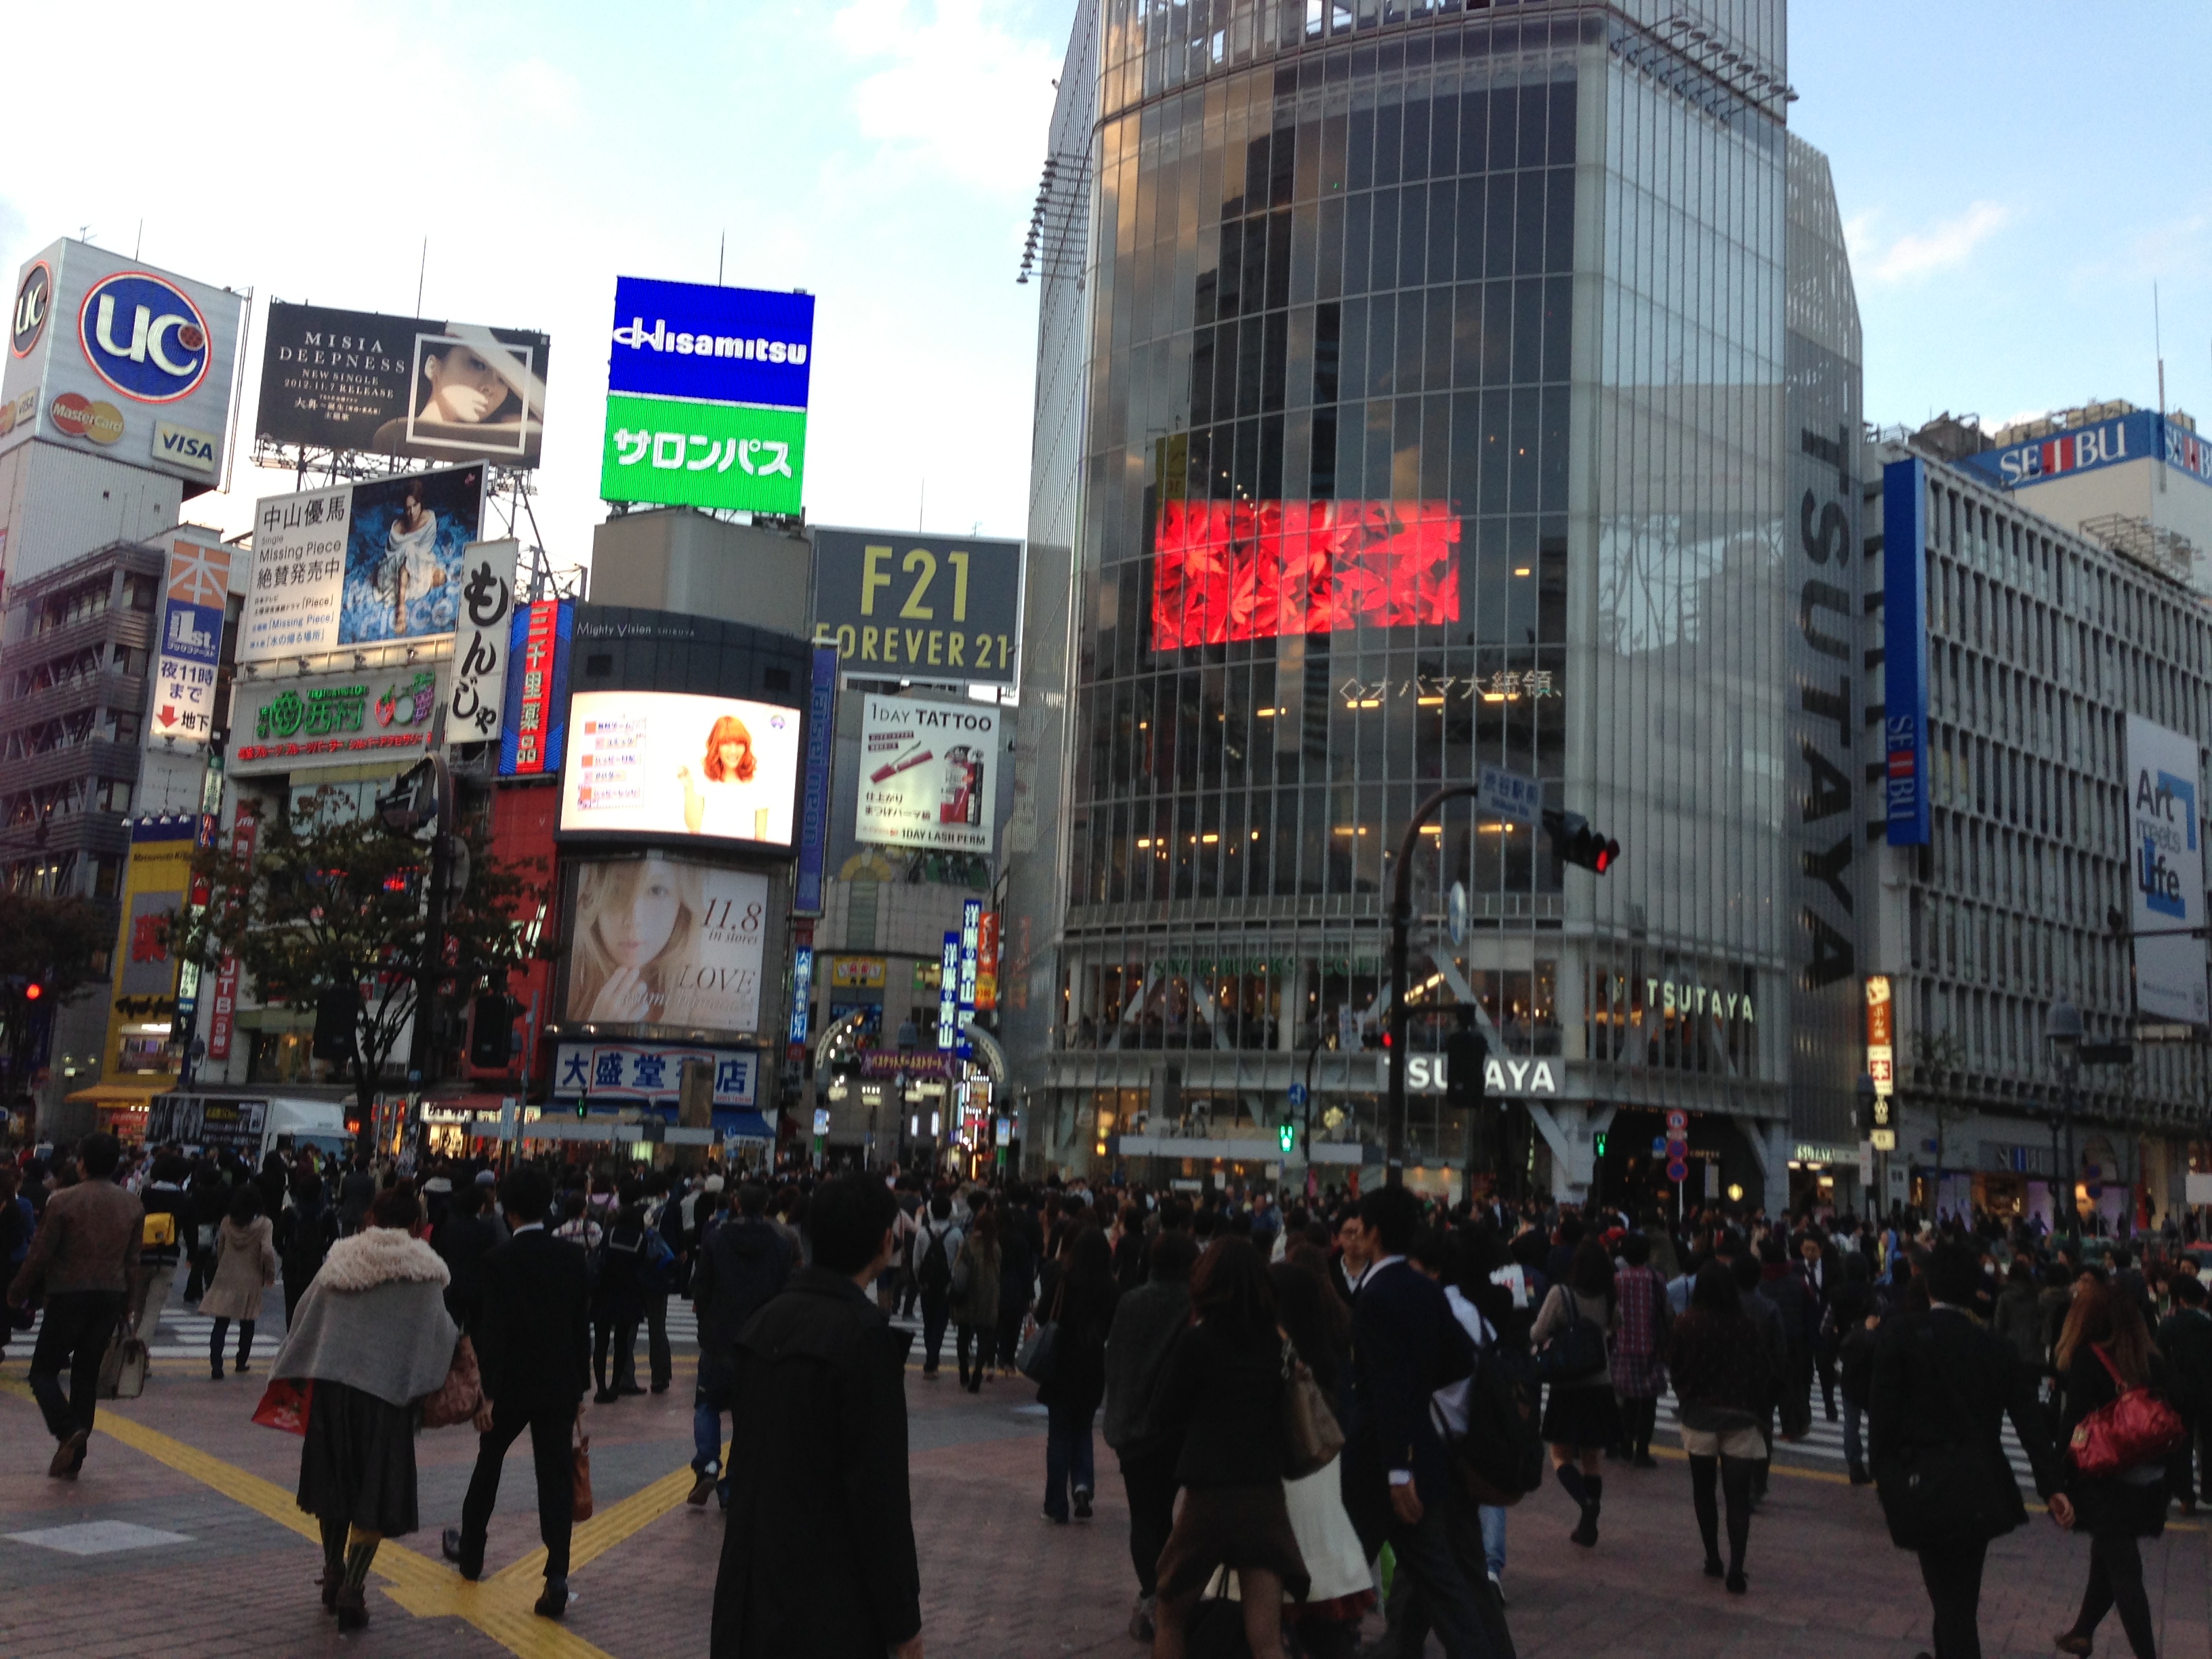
1399,1483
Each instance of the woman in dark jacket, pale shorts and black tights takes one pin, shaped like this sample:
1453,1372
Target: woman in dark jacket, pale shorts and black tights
1722,1384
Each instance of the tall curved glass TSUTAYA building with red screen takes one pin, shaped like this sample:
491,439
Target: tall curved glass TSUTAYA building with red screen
1419,395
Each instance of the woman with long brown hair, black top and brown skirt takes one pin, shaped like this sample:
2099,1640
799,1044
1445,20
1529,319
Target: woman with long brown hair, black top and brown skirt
1224,1397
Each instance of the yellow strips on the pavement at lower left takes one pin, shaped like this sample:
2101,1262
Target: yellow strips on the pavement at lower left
499,1607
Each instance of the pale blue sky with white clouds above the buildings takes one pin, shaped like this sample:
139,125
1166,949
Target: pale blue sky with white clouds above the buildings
2016,176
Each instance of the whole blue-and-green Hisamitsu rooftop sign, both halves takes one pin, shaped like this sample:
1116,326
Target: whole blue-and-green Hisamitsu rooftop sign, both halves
707,397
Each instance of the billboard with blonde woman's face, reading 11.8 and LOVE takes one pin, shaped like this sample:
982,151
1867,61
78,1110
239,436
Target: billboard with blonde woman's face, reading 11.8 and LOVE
667,943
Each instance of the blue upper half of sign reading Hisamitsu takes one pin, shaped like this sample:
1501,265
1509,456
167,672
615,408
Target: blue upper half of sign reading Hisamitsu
711,344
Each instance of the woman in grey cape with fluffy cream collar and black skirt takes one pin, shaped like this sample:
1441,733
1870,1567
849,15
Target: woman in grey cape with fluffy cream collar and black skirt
375,1339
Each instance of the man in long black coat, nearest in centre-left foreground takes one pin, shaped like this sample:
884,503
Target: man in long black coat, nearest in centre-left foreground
820,1547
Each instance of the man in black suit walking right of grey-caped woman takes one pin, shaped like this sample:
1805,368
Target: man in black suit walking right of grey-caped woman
534,1355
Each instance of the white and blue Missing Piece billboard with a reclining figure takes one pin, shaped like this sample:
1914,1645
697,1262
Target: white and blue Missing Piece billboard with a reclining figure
362,565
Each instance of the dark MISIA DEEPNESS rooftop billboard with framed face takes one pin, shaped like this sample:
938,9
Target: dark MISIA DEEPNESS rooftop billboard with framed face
401,386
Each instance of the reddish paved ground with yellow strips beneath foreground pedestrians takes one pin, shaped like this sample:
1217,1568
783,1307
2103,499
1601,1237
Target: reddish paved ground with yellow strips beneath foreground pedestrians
231,1565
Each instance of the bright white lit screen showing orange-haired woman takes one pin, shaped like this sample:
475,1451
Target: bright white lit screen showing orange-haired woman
671,764
